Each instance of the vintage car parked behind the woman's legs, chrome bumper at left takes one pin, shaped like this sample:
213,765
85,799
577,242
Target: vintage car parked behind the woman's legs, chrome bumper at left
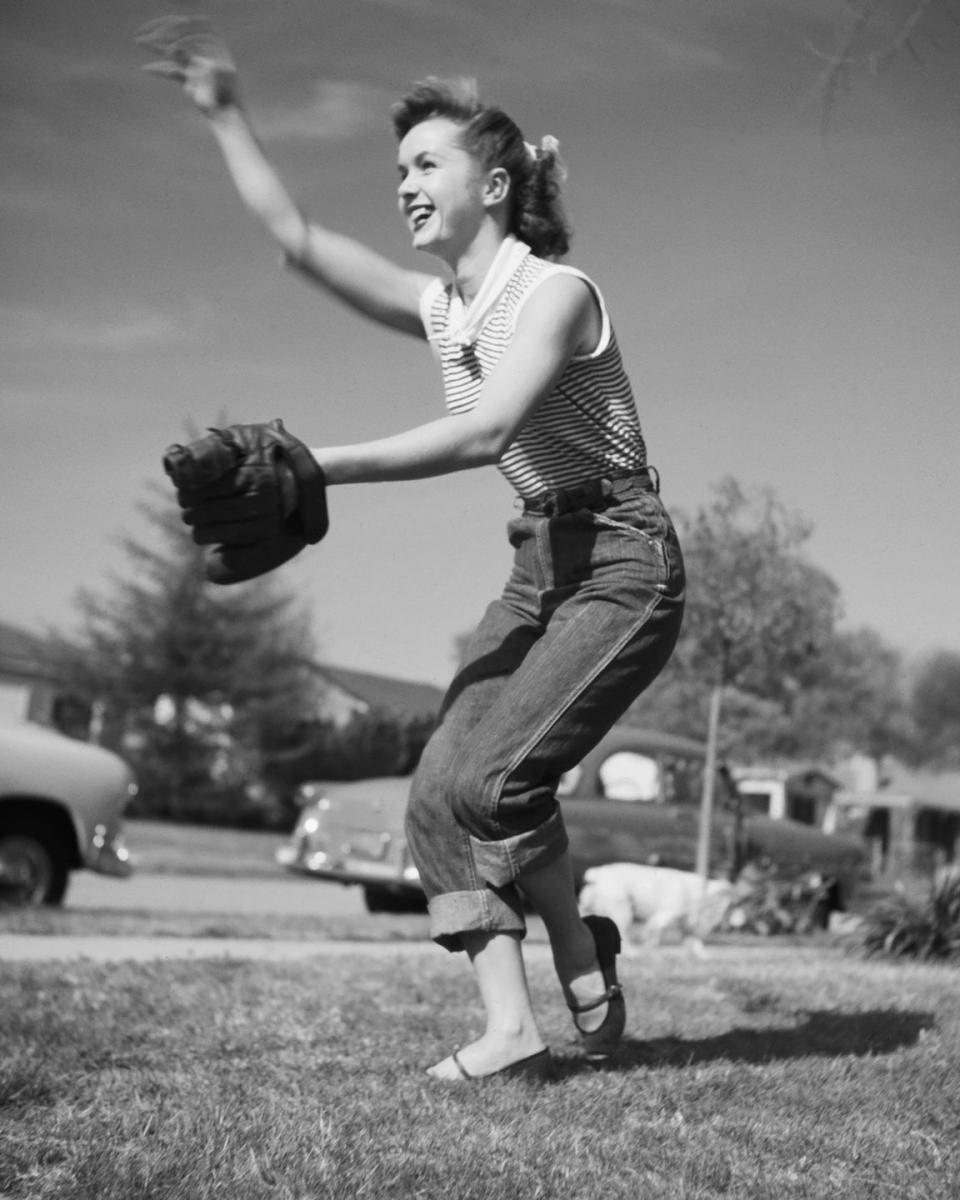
634,799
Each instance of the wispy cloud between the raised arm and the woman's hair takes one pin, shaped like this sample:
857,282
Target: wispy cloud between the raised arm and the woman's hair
337,112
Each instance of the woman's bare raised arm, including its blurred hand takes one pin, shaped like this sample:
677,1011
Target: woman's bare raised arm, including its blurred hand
193,55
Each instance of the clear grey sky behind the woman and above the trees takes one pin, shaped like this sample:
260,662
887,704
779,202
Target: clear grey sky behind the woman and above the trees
788,302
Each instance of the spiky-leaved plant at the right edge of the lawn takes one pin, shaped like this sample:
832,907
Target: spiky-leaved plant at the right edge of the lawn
929,929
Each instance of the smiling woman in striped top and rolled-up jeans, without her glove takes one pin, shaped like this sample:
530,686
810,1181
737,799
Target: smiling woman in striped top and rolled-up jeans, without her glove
592,610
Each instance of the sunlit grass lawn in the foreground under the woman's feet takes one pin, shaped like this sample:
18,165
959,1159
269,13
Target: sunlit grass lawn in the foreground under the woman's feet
769,1071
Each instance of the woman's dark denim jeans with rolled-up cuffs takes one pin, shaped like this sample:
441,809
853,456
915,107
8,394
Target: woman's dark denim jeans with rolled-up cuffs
589,619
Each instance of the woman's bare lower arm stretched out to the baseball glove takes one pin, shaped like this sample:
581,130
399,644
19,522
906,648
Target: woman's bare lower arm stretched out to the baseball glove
560,320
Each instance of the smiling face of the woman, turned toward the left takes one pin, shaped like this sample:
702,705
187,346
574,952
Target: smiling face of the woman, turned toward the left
442,189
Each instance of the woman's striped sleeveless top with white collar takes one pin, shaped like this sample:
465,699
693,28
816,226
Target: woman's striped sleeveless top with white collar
589,427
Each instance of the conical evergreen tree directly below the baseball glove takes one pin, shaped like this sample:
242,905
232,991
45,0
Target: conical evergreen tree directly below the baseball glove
197,686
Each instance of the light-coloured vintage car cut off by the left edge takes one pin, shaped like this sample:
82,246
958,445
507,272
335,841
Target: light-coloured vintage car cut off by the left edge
61,811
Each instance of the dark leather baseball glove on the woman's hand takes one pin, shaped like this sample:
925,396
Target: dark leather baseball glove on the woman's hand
253,494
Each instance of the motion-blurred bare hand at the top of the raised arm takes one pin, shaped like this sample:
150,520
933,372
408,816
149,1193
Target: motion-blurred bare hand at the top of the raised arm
193,53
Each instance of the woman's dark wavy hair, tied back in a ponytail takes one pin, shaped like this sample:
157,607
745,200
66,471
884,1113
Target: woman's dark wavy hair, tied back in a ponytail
537,214
